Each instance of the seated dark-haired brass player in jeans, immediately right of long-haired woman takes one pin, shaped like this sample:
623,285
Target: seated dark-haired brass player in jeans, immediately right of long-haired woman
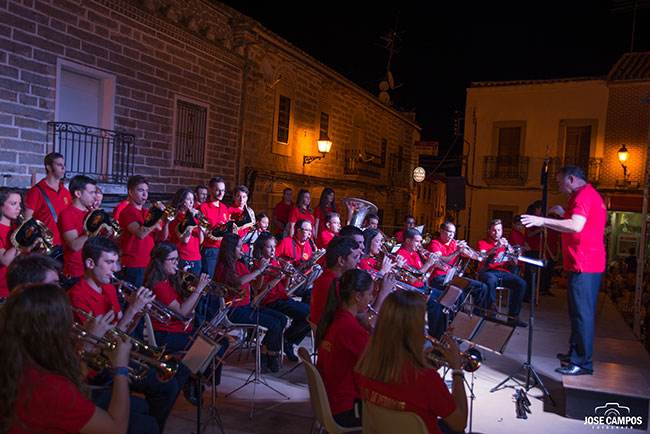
277,298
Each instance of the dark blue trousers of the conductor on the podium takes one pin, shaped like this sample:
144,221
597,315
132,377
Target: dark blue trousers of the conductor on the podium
582,294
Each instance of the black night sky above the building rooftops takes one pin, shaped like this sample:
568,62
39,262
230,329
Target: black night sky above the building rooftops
446,45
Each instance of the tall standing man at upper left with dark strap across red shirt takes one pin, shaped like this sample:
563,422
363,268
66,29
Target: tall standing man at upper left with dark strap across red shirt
49,197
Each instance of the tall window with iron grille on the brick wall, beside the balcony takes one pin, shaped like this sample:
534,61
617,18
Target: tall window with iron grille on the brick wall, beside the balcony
191,122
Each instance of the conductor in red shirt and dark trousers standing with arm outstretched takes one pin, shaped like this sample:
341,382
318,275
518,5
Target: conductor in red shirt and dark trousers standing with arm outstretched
583,253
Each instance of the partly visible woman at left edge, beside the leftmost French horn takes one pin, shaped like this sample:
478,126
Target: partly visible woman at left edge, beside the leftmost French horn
9,211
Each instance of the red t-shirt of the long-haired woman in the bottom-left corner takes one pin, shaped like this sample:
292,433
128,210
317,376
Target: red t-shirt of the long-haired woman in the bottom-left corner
49,403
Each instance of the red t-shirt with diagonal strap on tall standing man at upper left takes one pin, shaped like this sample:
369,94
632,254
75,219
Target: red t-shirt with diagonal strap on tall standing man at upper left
60,200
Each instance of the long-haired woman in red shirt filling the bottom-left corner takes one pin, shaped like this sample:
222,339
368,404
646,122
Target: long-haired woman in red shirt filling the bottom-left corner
41,373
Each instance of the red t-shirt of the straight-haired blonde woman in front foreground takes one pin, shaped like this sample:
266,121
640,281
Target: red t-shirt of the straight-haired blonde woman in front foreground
420,391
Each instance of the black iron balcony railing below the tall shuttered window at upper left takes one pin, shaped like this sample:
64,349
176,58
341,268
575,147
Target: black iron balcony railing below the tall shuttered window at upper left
105,155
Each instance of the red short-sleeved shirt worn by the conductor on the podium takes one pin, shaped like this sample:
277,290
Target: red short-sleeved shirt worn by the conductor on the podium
585,251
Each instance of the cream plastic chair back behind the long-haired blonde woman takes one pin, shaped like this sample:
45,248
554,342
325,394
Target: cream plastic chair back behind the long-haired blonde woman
379,420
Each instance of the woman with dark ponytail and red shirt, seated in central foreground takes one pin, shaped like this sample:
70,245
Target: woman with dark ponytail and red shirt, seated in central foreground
340,340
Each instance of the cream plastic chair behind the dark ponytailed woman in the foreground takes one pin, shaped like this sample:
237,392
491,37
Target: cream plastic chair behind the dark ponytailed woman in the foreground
318,398
